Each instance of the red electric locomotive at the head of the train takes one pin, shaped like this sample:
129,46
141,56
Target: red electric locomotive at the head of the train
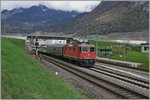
82,53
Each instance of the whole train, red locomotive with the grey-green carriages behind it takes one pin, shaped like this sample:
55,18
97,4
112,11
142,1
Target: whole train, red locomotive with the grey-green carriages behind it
81,53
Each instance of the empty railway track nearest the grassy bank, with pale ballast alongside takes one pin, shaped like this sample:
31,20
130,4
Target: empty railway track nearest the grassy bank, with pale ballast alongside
125,89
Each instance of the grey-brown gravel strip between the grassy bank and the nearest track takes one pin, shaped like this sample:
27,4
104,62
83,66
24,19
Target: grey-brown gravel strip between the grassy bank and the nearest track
90,90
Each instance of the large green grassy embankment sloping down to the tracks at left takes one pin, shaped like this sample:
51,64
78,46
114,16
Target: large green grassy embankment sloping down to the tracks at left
24,77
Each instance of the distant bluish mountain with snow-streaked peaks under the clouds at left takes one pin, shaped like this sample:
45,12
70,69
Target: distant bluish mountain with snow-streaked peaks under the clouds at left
33,18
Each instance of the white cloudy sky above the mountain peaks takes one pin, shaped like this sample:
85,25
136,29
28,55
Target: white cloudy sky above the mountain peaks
80,6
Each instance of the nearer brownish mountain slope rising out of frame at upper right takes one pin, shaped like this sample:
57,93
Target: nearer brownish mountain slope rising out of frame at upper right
111,16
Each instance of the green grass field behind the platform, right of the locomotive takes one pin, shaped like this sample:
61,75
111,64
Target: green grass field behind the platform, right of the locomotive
125,52
